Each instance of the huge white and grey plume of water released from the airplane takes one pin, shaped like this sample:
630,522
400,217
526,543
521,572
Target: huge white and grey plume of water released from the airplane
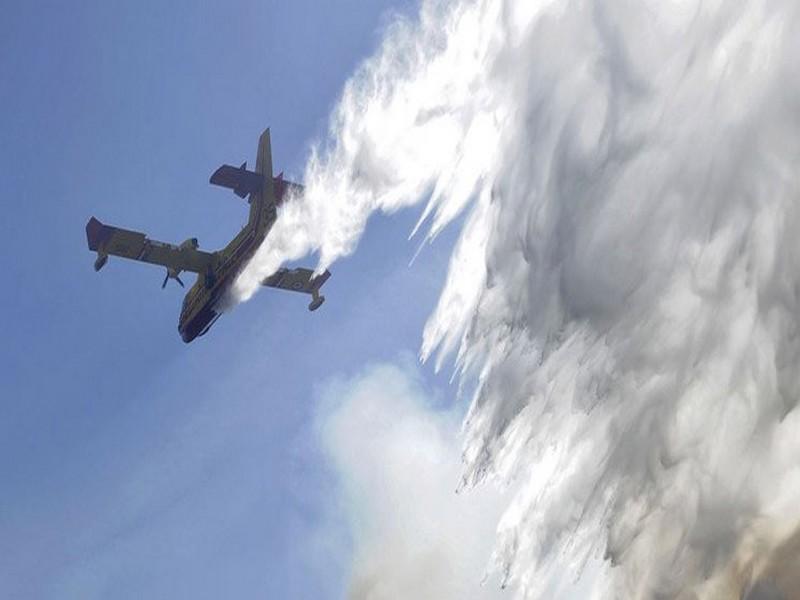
626,282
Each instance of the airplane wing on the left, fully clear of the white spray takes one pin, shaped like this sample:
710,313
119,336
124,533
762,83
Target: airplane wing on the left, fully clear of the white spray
114,241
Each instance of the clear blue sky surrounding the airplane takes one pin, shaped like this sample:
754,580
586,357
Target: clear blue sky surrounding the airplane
132,465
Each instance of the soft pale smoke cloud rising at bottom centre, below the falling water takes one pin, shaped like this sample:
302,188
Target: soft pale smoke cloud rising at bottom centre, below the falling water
397,462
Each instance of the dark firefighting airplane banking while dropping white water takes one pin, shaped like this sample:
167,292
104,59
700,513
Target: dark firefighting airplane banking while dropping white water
216,271
